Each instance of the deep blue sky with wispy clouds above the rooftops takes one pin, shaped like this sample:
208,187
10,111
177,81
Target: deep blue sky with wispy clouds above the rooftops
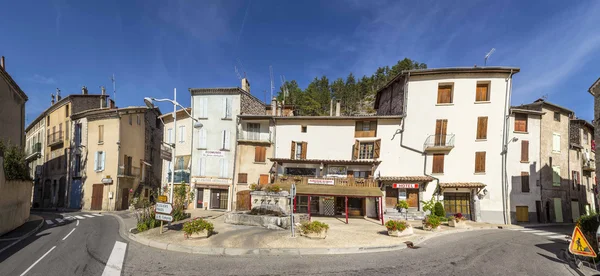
155,46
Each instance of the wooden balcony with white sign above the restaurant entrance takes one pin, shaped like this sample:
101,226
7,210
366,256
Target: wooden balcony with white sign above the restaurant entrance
335,181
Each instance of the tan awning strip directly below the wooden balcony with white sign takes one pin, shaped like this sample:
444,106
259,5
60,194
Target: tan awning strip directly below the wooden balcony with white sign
331,190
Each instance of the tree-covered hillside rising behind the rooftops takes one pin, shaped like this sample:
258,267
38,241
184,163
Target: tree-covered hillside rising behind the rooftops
355,94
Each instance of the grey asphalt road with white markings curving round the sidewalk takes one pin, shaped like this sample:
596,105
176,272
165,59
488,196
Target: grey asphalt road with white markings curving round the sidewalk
88,249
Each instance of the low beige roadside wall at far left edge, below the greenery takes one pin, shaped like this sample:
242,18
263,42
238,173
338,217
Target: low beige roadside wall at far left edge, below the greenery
15,202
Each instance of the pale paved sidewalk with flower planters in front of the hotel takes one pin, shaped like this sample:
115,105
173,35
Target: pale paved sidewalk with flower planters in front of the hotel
360,235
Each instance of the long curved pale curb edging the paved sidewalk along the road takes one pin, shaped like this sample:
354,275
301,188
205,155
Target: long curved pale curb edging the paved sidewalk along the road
219,251
